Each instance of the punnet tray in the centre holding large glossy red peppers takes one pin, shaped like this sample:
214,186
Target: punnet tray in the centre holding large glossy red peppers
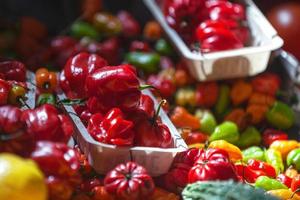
104,157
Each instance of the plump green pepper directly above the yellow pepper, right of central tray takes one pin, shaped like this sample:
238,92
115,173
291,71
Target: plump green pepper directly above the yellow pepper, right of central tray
226,131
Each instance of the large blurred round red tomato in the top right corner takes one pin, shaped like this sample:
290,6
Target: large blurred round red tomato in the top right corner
285,19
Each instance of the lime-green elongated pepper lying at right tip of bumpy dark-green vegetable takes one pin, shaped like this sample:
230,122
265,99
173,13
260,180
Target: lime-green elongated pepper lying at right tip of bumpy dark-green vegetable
267,183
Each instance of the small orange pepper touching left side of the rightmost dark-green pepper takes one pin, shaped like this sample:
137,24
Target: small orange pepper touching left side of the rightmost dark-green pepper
257,112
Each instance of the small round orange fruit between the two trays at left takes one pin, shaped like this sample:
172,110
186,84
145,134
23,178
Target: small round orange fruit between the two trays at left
46,81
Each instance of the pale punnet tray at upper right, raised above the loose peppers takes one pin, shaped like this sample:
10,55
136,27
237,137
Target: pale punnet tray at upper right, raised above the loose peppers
247,61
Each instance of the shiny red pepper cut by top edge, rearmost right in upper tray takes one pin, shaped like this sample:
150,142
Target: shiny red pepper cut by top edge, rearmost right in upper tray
225,10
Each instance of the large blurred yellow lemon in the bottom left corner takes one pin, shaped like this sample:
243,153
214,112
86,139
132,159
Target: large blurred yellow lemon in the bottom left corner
20,179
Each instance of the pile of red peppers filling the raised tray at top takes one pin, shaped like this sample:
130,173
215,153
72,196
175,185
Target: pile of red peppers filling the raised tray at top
216,25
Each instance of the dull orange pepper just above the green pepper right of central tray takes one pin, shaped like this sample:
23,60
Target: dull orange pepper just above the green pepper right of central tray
239,117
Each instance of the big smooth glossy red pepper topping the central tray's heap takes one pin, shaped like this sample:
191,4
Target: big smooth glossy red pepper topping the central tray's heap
114,86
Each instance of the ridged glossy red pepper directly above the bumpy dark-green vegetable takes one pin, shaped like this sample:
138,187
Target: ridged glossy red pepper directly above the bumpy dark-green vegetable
212,164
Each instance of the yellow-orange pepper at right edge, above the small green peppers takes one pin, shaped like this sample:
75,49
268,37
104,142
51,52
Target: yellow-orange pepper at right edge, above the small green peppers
284,146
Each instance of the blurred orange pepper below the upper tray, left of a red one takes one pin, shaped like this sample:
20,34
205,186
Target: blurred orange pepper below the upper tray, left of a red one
240,92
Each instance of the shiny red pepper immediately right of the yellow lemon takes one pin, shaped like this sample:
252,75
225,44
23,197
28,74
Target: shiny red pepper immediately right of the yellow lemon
61,166
